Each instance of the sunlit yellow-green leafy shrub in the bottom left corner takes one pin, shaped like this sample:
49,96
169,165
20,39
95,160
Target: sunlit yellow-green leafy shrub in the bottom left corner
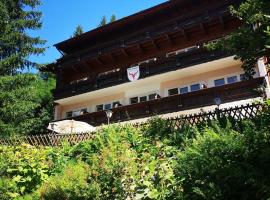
22,169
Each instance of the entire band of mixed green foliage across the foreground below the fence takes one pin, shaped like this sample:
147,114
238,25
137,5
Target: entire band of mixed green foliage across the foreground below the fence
221,160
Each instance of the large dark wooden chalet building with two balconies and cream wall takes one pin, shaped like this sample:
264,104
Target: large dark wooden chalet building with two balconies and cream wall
176,73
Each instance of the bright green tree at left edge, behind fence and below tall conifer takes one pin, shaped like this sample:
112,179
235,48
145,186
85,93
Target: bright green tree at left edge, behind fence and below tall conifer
26,104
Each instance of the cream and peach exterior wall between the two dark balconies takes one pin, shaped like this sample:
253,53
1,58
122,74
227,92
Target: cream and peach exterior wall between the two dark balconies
204,73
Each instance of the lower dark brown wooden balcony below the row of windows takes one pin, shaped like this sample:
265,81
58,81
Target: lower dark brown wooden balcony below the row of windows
227,93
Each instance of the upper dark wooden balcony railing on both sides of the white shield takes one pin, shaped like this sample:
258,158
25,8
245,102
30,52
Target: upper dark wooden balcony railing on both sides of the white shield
162,65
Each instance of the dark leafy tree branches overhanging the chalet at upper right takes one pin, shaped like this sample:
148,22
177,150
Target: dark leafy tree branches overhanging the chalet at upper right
248,43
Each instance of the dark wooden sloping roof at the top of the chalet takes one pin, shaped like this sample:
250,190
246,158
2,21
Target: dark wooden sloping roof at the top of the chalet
133,23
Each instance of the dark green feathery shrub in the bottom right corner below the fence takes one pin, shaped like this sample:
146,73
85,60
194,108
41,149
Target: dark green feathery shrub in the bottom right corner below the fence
226,166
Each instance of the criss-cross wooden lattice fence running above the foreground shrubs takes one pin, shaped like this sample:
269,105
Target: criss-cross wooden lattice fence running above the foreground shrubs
248,111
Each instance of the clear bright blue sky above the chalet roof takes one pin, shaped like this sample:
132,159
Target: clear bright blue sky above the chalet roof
60,18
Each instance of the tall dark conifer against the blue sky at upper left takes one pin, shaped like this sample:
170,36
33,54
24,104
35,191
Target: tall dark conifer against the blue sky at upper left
17,17
